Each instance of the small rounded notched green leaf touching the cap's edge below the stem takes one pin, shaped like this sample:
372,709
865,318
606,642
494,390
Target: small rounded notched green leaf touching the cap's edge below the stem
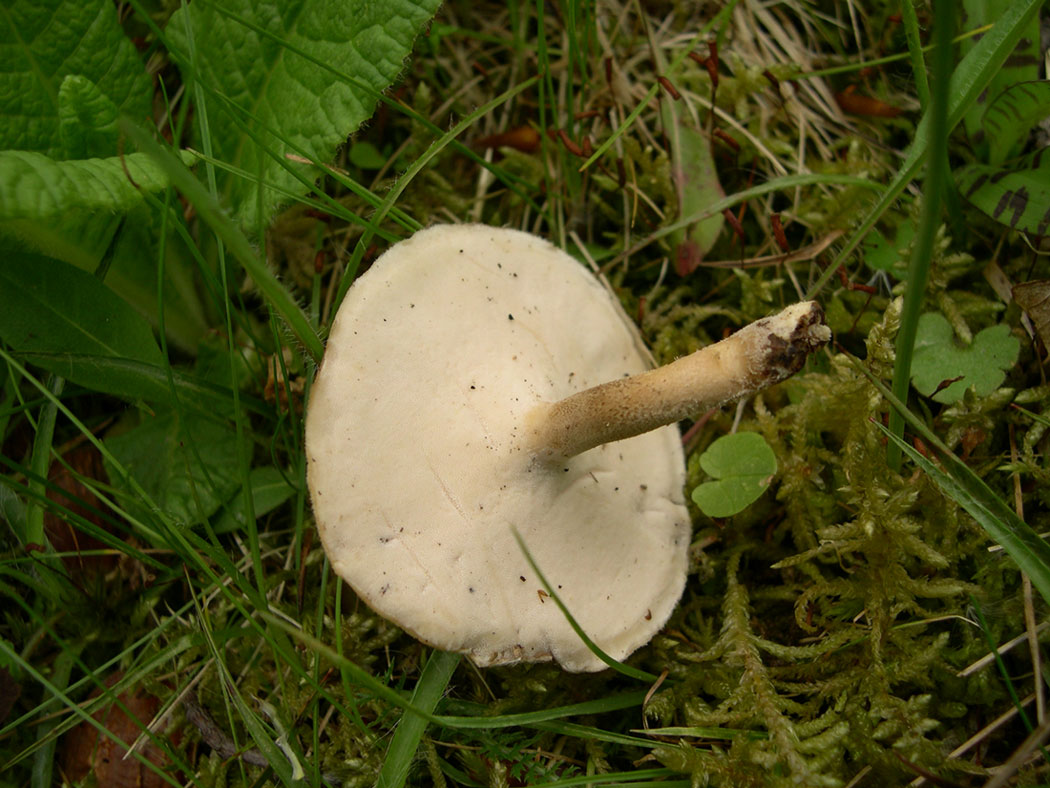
743,466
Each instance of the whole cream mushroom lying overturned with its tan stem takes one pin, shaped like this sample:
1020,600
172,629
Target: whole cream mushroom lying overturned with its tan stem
480,382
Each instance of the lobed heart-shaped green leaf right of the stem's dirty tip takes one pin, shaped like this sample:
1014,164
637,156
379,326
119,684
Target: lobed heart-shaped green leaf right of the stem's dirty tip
938,359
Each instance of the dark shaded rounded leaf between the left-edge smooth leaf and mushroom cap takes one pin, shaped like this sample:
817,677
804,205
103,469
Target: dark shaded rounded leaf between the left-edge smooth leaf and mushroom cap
188,465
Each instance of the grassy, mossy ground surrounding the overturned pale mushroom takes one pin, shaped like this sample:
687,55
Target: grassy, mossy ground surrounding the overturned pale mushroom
828,632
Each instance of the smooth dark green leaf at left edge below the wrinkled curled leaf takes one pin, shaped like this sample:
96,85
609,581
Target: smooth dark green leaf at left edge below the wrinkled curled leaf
55,312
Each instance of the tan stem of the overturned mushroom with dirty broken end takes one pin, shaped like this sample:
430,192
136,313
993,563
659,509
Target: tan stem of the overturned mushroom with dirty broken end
761,355
